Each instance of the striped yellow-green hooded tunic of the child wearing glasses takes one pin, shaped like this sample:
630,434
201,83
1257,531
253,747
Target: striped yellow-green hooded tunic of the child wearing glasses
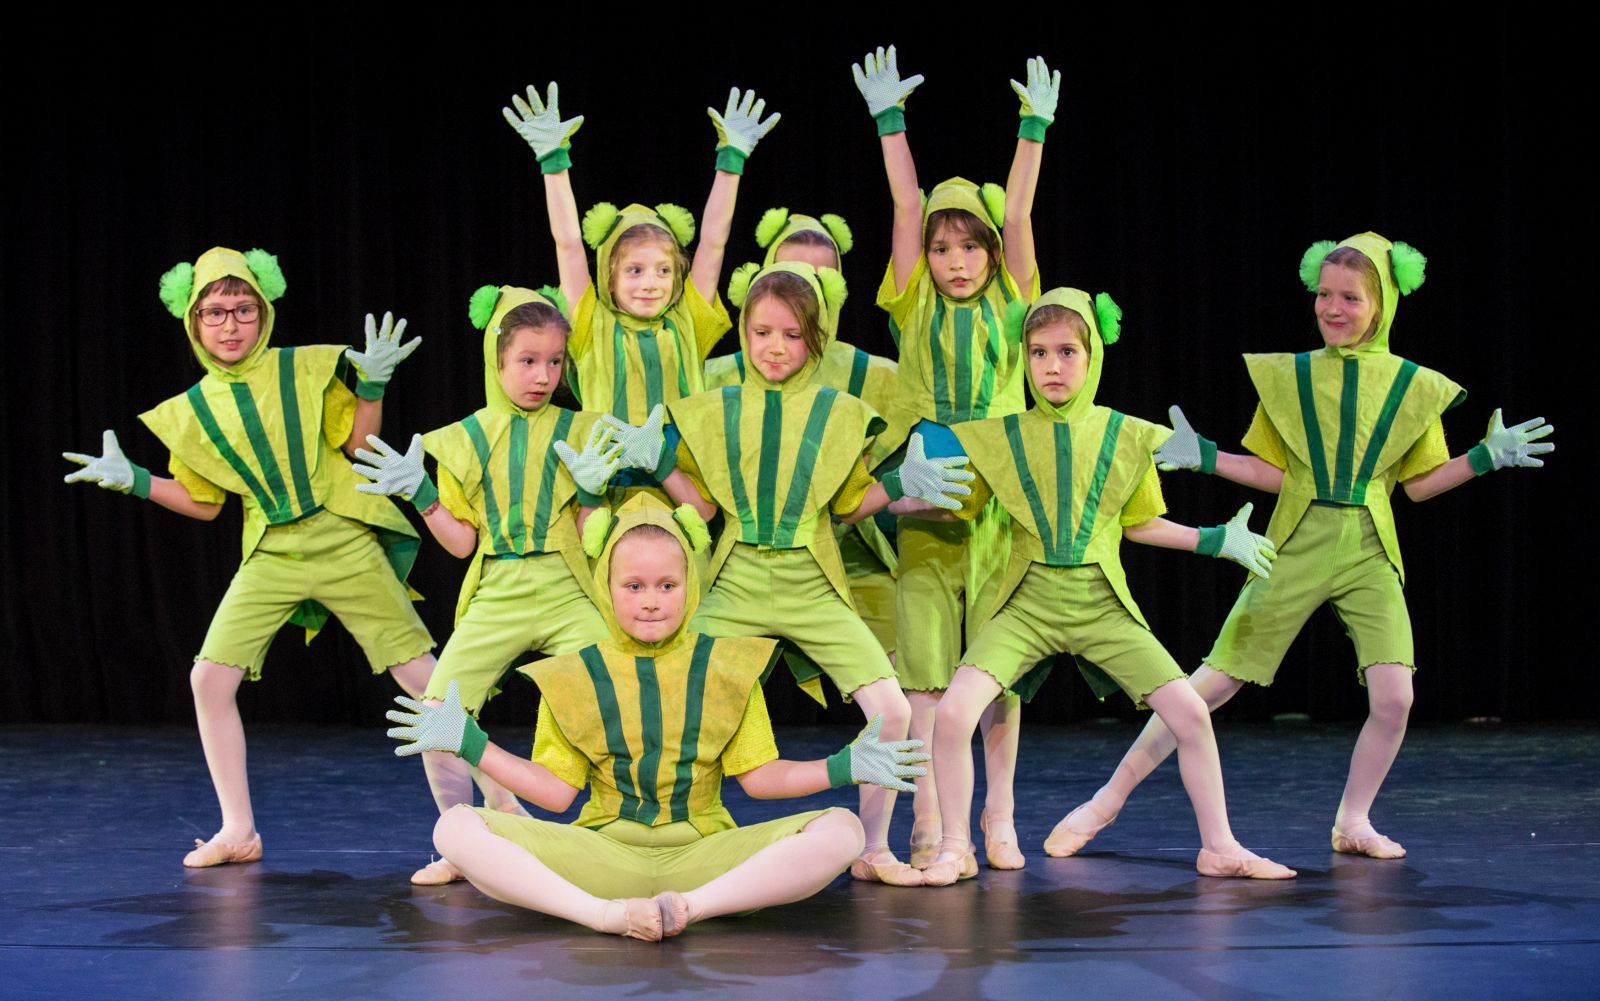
255,431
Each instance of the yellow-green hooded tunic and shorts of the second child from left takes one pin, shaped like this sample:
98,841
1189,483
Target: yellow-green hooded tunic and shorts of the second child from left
522,500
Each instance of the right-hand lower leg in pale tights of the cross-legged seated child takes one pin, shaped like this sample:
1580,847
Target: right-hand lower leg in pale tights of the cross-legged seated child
790,871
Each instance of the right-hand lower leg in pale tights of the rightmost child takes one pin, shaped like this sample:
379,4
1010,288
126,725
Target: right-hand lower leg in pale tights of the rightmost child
1390,706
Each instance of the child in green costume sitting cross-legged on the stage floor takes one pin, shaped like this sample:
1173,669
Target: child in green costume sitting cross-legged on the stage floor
650,720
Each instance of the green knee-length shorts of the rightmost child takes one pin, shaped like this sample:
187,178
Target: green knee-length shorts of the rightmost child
1332,556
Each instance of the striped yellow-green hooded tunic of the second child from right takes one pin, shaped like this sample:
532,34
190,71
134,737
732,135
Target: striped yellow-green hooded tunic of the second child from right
1065,476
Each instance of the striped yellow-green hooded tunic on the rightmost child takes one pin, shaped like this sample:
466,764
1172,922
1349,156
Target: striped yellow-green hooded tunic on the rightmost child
1348,417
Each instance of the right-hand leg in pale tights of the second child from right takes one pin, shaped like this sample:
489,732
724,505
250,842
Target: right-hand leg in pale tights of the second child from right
1190,722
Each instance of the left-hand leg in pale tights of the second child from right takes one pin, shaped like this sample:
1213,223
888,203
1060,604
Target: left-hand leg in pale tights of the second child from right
970,695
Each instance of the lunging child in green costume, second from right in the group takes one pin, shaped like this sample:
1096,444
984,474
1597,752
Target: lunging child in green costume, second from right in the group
1076,479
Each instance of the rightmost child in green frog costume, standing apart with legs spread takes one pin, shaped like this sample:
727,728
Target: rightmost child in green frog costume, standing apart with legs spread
1334,433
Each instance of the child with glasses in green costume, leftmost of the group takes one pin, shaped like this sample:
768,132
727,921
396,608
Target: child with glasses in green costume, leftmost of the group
268,425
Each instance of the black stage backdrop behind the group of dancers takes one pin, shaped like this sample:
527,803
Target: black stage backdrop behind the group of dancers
1185,175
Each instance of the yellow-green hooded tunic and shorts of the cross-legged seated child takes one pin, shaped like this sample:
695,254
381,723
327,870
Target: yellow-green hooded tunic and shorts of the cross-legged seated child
654,724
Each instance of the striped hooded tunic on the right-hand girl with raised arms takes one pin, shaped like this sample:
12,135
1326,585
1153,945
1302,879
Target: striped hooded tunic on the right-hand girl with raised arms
954,361
